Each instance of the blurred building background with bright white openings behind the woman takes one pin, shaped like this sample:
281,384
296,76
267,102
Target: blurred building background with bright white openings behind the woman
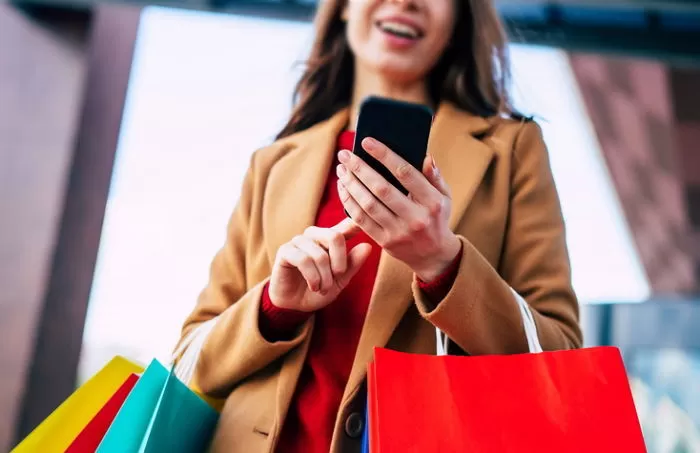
126,128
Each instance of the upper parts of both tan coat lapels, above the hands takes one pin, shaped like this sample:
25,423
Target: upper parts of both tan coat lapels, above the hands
297,181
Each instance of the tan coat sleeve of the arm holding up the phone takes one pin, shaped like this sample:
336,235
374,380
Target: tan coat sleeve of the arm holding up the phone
481,313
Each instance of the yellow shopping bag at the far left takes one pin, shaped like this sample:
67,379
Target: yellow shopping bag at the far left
58,430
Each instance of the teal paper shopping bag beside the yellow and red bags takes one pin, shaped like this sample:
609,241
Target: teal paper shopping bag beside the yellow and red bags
161,414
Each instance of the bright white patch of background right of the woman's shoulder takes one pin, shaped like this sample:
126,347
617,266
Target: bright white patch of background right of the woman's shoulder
605,264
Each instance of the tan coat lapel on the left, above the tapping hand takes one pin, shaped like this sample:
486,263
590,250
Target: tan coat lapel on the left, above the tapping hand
296,182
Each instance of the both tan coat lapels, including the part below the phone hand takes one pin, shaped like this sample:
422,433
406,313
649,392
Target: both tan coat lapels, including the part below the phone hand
297,181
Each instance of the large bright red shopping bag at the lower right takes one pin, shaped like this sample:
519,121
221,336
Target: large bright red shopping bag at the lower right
567,401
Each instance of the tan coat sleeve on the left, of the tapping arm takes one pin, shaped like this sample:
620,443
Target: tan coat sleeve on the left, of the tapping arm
221,338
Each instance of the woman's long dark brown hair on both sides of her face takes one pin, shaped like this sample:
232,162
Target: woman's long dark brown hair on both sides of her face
473,73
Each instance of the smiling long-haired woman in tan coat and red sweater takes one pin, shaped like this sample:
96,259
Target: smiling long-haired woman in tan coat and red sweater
300,295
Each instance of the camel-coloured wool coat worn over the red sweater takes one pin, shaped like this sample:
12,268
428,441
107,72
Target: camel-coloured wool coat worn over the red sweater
506,212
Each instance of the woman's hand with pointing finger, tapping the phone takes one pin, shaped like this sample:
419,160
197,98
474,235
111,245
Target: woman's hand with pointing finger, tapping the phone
311,269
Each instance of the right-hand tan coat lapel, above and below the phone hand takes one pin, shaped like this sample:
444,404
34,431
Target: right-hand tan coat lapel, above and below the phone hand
463,161
